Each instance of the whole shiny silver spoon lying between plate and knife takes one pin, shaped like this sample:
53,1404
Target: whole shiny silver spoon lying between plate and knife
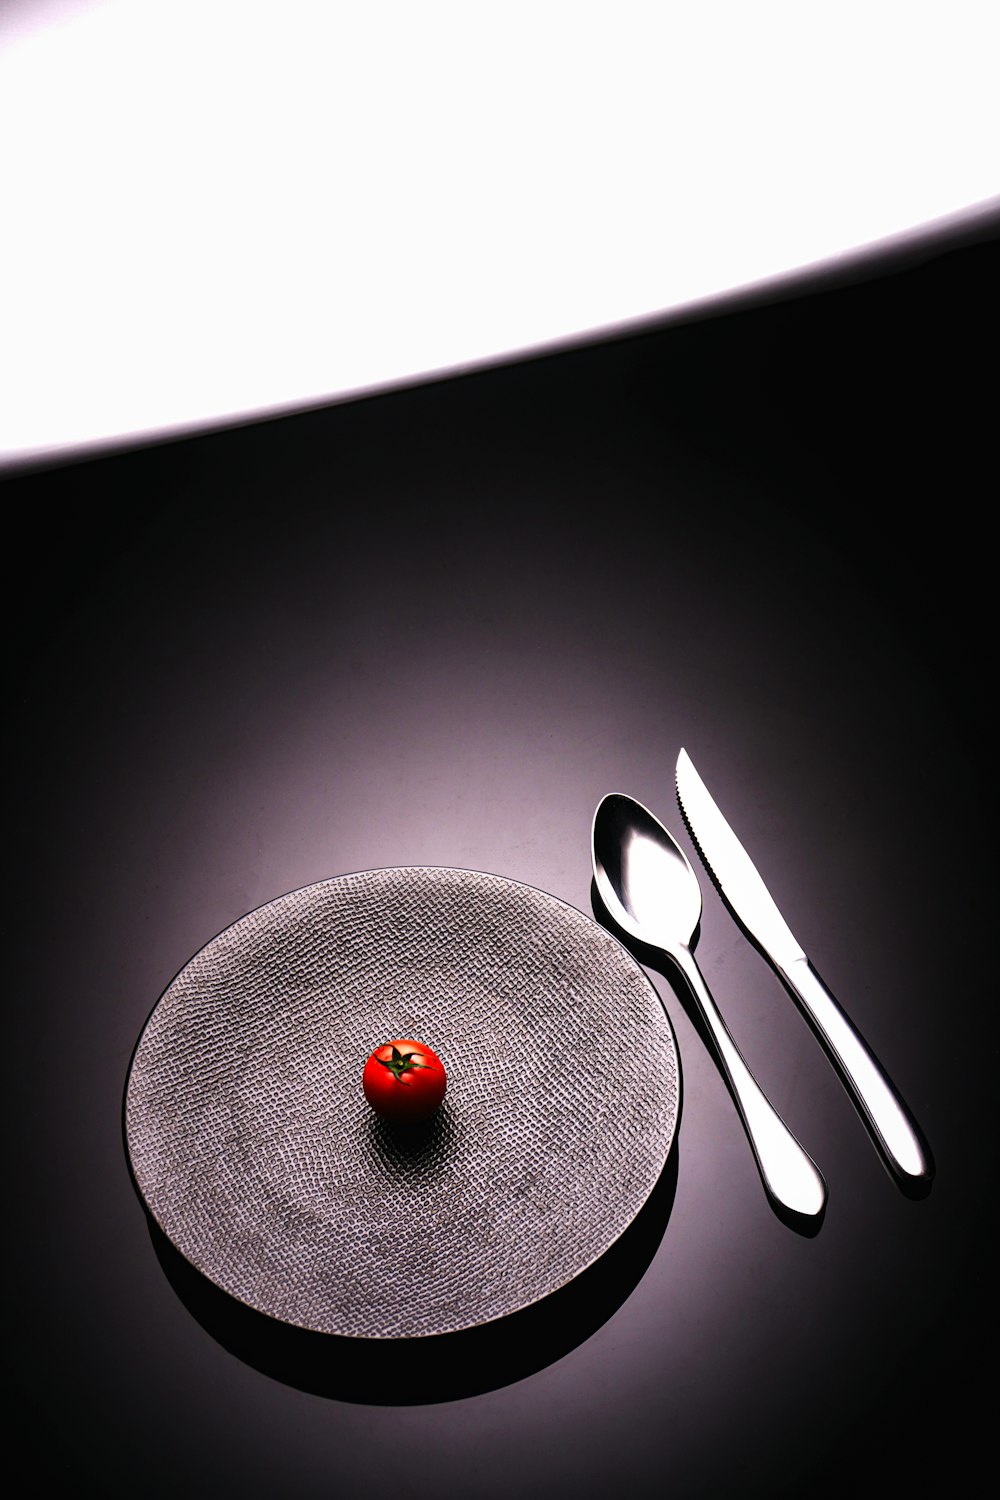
653,895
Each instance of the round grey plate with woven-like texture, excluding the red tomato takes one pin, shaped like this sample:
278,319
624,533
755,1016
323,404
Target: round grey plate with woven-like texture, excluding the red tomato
259,1156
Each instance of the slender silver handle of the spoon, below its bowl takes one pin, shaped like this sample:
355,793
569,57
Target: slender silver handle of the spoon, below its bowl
788,1172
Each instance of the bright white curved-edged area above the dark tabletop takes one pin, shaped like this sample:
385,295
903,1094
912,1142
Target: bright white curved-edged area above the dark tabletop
221,208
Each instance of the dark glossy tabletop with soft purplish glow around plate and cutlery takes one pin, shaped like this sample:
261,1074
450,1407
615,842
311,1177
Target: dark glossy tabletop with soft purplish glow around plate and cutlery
436,628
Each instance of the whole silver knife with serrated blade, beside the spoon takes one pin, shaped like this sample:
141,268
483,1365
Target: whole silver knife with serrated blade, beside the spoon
890,1123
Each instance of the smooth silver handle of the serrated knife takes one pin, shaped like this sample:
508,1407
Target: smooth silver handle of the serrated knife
881,1108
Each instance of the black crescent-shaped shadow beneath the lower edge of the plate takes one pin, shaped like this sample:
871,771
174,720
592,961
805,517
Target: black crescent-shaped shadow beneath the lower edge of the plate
446,1367
